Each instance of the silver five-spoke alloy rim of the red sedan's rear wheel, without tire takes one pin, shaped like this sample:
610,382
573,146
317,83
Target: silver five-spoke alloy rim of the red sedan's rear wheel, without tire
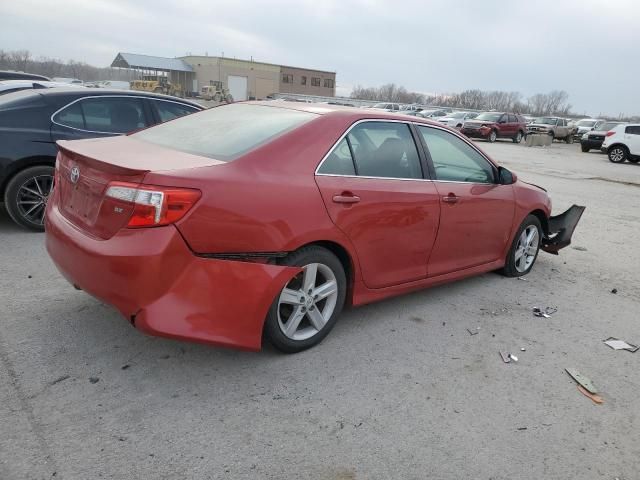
307,302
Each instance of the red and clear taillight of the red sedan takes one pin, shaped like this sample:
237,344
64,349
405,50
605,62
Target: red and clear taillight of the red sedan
153,205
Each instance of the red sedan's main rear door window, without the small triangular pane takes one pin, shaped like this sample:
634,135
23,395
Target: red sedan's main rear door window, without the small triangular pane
385,149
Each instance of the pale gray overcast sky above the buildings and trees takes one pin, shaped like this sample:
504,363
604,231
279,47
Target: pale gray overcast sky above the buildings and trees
588,48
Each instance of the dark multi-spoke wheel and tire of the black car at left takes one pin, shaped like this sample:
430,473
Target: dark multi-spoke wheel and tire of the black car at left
27,194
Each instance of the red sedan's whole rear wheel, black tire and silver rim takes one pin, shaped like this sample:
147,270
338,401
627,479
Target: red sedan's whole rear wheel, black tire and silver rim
308,306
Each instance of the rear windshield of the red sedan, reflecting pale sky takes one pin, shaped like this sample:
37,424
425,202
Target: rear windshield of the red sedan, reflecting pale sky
225,133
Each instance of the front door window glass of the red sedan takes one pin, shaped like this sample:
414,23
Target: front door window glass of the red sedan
454,159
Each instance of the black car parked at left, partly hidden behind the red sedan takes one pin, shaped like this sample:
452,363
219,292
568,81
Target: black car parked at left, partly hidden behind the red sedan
31,121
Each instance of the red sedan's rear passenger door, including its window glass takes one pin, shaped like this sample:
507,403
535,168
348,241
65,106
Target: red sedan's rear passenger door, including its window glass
374,190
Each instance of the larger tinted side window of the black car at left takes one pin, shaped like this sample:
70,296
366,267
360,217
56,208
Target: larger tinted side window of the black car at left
104,114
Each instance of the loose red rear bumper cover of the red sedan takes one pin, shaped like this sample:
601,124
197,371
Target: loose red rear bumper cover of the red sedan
153,279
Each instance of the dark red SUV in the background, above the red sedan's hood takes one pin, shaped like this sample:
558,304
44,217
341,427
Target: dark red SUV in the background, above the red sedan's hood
494,125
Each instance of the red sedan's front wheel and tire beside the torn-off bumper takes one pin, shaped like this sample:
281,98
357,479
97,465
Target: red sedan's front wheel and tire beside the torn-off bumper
525,247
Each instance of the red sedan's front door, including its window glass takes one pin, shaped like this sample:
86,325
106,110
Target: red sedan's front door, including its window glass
476,213
